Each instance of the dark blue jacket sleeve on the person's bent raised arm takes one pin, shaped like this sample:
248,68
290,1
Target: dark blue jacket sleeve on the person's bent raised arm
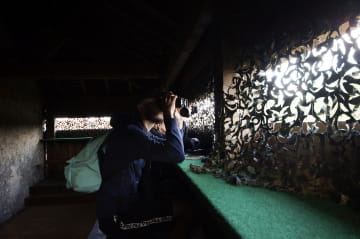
142,145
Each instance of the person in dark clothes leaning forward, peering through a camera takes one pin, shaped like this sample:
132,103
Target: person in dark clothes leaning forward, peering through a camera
121,211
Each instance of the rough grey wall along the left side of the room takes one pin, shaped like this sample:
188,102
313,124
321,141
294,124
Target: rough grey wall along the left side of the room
21,152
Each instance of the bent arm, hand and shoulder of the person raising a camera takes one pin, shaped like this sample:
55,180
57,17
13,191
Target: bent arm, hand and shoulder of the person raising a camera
135,143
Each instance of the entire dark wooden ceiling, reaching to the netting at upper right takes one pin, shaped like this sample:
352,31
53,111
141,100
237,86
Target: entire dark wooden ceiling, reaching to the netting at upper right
89,56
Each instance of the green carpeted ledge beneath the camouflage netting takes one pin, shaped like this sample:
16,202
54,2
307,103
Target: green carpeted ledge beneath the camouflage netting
256,213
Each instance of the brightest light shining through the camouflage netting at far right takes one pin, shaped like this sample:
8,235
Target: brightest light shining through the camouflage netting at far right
301,78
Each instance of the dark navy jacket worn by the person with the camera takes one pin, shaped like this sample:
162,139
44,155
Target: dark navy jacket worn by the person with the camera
122,159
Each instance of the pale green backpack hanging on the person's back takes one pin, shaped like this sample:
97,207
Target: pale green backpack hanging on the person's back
82,172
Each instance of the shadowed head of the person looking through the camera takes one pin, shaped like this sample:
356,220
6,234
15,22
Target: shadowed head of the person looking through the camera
150,110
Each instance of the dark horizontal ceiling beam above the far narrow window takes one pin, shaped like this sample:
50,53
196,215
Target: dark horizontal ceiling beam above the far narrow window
82,71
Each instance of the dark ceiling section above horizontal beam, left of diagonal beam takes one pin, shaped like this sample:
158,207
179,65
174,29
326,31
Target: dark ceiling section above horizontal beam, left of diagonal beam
104,31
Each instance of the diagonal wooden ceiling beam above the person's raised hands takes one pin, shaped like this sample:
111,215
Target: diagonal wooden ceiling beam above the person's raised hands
186,47
